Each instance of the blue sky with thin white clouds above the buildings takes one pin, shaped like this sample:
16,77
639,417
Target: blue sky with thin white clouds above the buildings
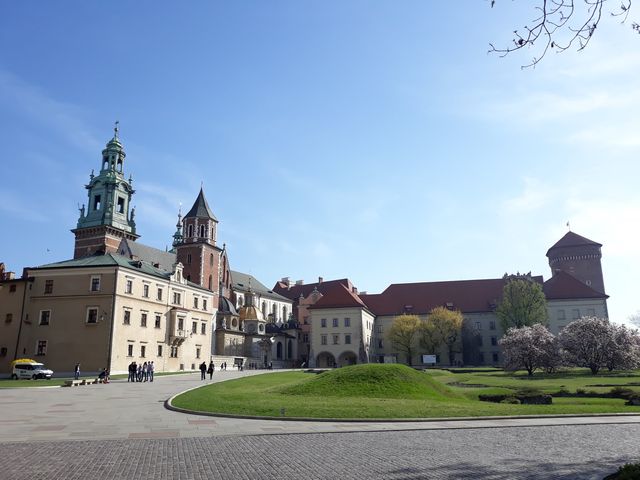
377,141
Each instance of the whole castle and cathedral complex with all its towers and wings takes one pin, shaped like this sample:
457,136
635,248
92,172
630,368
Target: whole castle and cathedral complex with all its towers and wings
118,300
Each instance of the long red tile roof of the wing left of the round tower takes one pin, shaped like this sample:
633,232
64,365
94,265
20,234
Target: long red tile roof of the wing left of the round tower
465,295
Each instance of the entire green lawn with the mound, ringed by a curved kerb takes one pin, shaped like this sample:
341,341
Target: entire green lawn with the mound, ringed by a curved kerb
395,391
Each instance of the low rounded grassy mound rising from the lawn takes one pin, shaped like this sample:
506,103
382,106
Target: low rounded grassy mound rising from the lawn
372,381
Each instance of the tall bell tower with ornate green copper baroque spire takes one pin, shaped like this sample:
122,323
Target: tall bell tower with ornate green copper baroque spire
107,217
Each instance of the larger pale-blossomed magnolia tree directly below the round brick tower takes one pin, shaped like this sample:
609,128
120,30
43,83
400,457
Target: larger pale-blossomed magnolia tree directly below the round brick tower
587,342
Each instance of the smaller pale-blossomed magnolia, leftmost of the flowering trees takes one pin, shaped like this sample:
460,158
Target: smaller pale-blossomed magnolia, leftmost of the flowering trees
529,348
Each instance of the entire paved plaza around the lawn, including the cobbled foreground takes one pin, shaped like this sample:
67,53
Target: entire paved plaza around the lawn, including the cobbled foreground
127,433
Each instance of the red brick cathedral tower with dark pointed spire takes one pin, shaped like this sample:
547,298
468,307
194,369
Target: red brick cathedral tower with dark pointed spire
195,245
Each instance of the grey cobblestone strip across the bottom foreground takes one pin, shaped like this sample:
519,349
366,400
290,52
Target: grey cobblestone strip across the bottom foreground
556,452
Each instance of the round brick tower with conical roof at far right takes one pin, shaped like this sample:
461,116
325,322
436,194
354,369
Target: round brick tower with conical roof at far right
579,257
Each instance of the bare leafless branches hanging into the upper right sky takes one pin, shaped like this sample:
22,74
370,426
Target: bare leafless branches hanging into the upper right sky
562,24
